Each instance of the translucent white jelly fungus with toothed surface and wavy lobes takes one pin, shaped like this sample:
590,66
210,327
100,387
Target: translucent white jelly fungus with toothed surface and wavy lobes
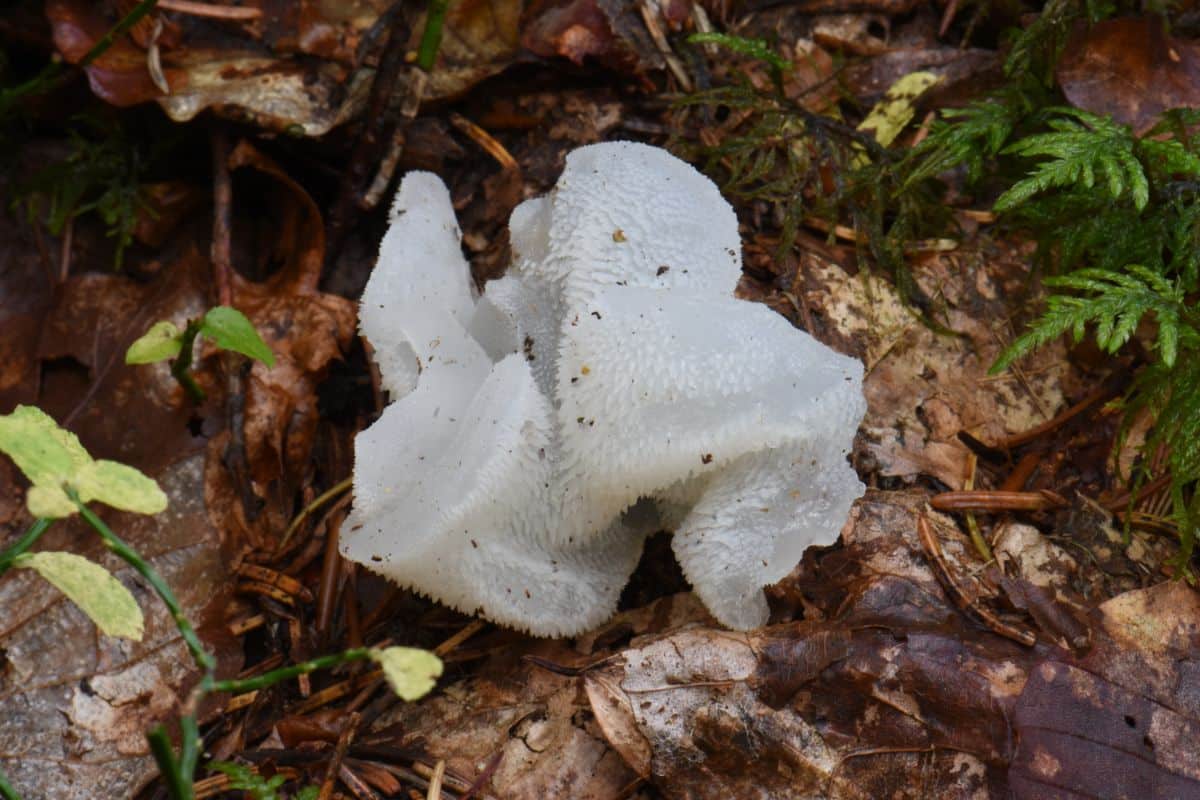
610,386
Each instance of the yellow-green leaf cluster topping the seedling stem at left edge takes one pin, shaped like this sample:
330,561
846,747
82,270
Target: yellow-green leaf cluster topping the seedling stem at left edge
52,459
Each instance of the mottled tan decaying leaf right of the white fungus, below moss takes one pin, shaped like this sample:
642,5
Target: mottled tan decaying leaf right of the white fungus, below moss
923,387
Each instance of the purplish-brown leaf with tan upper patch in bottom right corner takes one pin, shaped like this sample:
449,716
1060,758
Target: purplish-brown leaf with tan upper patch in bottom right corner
1123,723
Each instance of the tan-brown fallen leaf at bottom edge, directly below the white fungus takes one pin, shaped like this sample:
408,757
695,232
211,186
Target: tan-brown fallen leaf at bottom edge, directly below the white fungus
537,723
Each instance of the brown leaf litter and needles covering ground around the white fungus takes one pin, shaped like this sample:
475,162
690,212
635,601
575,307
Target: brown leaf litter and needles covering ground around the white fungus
1010,611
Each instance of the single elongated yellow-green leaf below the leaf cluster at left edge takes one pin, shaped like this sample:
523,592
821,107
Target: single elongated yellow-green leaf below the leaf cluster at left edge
93,588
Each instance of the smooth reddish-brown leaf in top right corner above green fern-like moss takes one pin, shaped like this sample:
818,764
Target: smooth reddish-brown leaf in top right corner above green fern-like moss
1132,70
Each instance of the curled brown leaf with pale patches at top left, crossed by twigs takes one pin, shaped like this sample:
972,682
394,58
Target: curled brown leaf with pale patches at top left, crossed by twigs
297,69
